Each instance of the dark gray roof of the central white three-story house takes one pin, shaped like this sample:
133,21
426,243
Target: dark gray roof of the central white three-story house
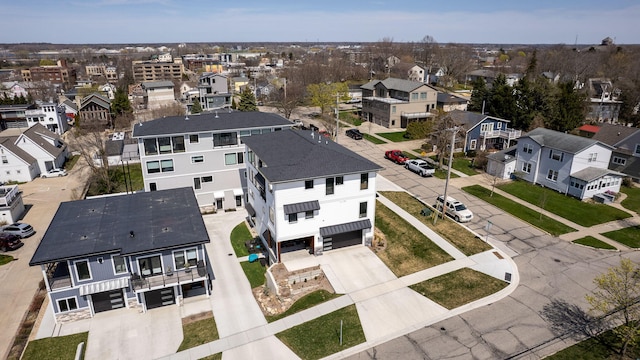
298,154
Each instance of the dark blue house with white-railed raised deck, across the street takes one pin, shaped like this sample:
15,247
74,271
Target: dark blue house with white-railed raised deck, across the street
483,132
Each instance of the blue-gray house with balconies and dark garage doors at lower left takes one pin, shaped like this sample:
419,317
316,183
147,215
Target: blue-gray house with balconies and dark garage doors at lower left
142,250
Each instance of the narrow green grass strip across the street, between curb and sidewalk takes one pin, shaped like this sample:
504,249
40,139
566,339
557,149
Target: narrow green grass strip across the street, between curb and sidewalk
533,217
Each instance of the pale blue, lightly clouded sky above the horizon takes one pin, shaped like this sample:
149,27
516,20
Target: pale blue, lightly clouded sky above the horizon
463,21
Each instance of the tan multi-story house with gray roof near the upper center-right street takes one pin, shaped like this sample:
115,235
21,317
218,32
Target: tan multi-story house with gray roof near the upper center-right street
394,103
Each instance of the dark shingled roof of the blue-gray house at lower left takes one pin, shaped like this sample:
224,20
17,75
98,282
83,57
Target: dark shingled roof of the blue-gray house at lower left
158,219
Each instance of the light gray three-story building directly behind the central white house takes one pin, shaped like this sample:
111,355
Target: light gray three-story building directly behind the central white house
203,151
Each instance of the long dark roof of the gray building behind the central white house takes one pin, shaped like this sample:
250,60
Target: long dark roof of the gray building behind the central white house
216,121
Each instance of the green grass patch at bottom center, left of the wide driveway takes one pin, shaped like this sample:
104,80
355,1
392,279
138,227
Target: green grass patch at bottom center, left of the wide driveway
320,337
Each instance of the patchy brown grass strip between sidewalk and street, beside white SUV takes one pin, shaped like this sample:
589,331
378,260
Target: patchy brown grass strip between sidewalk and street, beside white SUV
465,241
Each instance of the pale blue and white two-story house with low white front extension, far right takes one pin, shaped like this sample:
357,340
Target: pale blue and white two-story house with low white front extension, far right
570,164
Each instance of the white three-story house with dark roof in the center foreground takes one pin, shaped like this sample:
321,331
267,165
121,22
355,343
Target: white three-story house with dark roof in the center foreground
307,192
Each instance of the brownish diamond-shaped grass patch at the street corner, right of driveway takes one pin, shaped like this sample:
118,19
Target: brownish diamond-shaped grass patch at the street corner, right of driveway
460,287
